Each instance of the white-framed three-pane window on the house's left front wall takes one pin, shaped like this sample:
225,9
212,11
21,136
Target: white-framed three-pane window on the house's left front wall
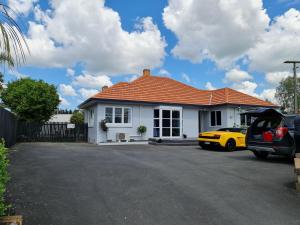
118,115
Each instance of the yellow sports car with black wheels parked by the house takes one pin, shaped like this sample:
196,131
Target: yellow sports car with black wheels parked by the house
228,138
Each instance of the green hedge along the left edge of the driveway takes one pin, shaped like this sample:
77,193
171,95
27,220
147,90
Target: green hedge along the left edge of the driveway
4,177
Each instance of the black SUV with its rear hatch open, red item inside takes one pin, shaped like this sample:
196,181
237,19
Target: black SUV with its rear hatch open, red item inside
273,133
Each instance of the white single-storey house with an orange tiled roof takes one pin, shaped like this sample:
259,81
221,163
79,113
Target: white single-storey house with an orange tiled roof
168,109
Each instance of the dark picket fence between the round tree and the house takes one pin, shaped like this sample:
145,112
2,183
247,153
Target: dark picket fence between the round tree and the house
51,132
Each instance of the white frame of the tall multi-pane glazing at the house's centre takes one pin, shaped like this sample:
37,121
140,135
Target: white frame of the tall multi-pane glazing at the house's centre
161,108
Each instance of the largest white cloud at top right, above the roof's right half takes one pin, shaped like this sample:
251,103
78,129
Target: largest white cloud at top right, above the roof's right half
217,29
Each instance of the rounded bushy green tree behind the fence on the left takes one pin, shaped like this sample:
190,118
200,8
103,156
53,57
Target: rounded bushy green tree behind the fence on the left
31,100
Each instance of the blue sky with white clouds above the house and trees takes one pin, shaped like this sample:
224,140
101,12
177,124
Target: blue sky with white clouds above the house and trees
206,44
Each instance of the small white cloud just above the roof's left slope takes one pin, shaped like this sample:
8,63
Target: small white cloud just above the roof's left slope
89,81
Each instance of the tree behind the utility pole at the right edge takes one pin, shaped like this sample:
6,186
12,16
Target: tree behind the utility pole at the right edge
285,93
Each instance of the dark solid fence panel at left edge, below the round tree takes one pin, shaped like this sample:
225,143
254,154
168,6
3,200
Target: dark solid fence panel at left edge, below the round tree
8,127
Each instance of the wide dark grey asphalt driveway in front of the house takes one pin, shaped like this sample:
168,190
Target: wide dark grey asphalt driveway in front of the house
81,184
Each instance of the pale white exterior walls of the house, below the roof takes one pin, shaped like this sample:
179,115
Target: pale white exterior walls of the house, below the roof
143,115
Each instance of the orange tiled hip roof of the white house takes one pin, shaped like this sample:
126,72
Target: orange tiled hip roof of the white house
165,90
